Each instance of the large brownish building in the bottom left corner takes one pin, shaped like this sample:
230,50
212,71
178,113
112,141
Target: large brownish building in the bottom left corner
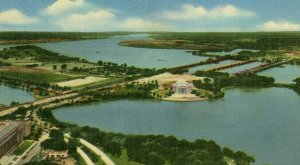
12,134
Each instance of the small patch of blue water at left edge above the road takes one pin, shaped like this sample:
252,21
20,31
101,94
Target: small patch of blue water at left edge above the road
9,94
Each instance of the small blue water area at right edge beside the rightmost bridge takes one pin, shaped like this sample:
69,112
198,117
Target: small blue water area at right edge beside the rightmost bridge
285,74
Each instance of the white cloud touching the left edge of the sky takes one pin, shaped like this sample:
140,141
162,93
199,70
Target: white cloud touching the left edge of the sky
15,17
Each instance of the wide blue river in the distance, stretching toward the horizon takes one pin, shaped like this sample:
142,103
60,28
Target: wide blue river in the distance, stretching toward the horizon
110,50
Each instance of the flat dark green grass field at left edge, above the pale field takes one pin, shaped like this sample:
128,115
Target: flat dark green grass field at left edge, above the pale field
35,76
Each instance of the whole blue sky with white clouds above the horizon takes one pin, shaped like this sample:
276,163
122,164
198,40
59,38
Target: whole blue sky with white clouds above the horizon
150,15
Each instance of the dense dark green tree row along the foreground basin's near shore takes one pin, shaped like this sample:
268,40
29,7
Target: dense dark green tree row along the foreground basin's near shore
157,150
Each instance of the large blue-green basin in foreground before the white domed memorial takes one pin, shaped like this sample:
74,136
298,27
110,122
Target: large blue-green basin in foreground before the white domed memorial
263,122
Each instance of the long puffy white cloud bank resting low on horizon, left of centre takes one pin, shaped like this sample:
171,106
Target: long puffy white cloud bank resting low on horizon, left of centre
106,20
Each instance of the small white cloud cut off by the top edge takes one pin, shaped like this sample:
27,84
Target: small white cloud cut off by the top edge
60,6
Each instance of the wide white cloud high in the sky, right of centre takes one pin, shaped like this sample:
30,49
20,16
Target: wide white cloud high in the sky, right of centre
191,12
